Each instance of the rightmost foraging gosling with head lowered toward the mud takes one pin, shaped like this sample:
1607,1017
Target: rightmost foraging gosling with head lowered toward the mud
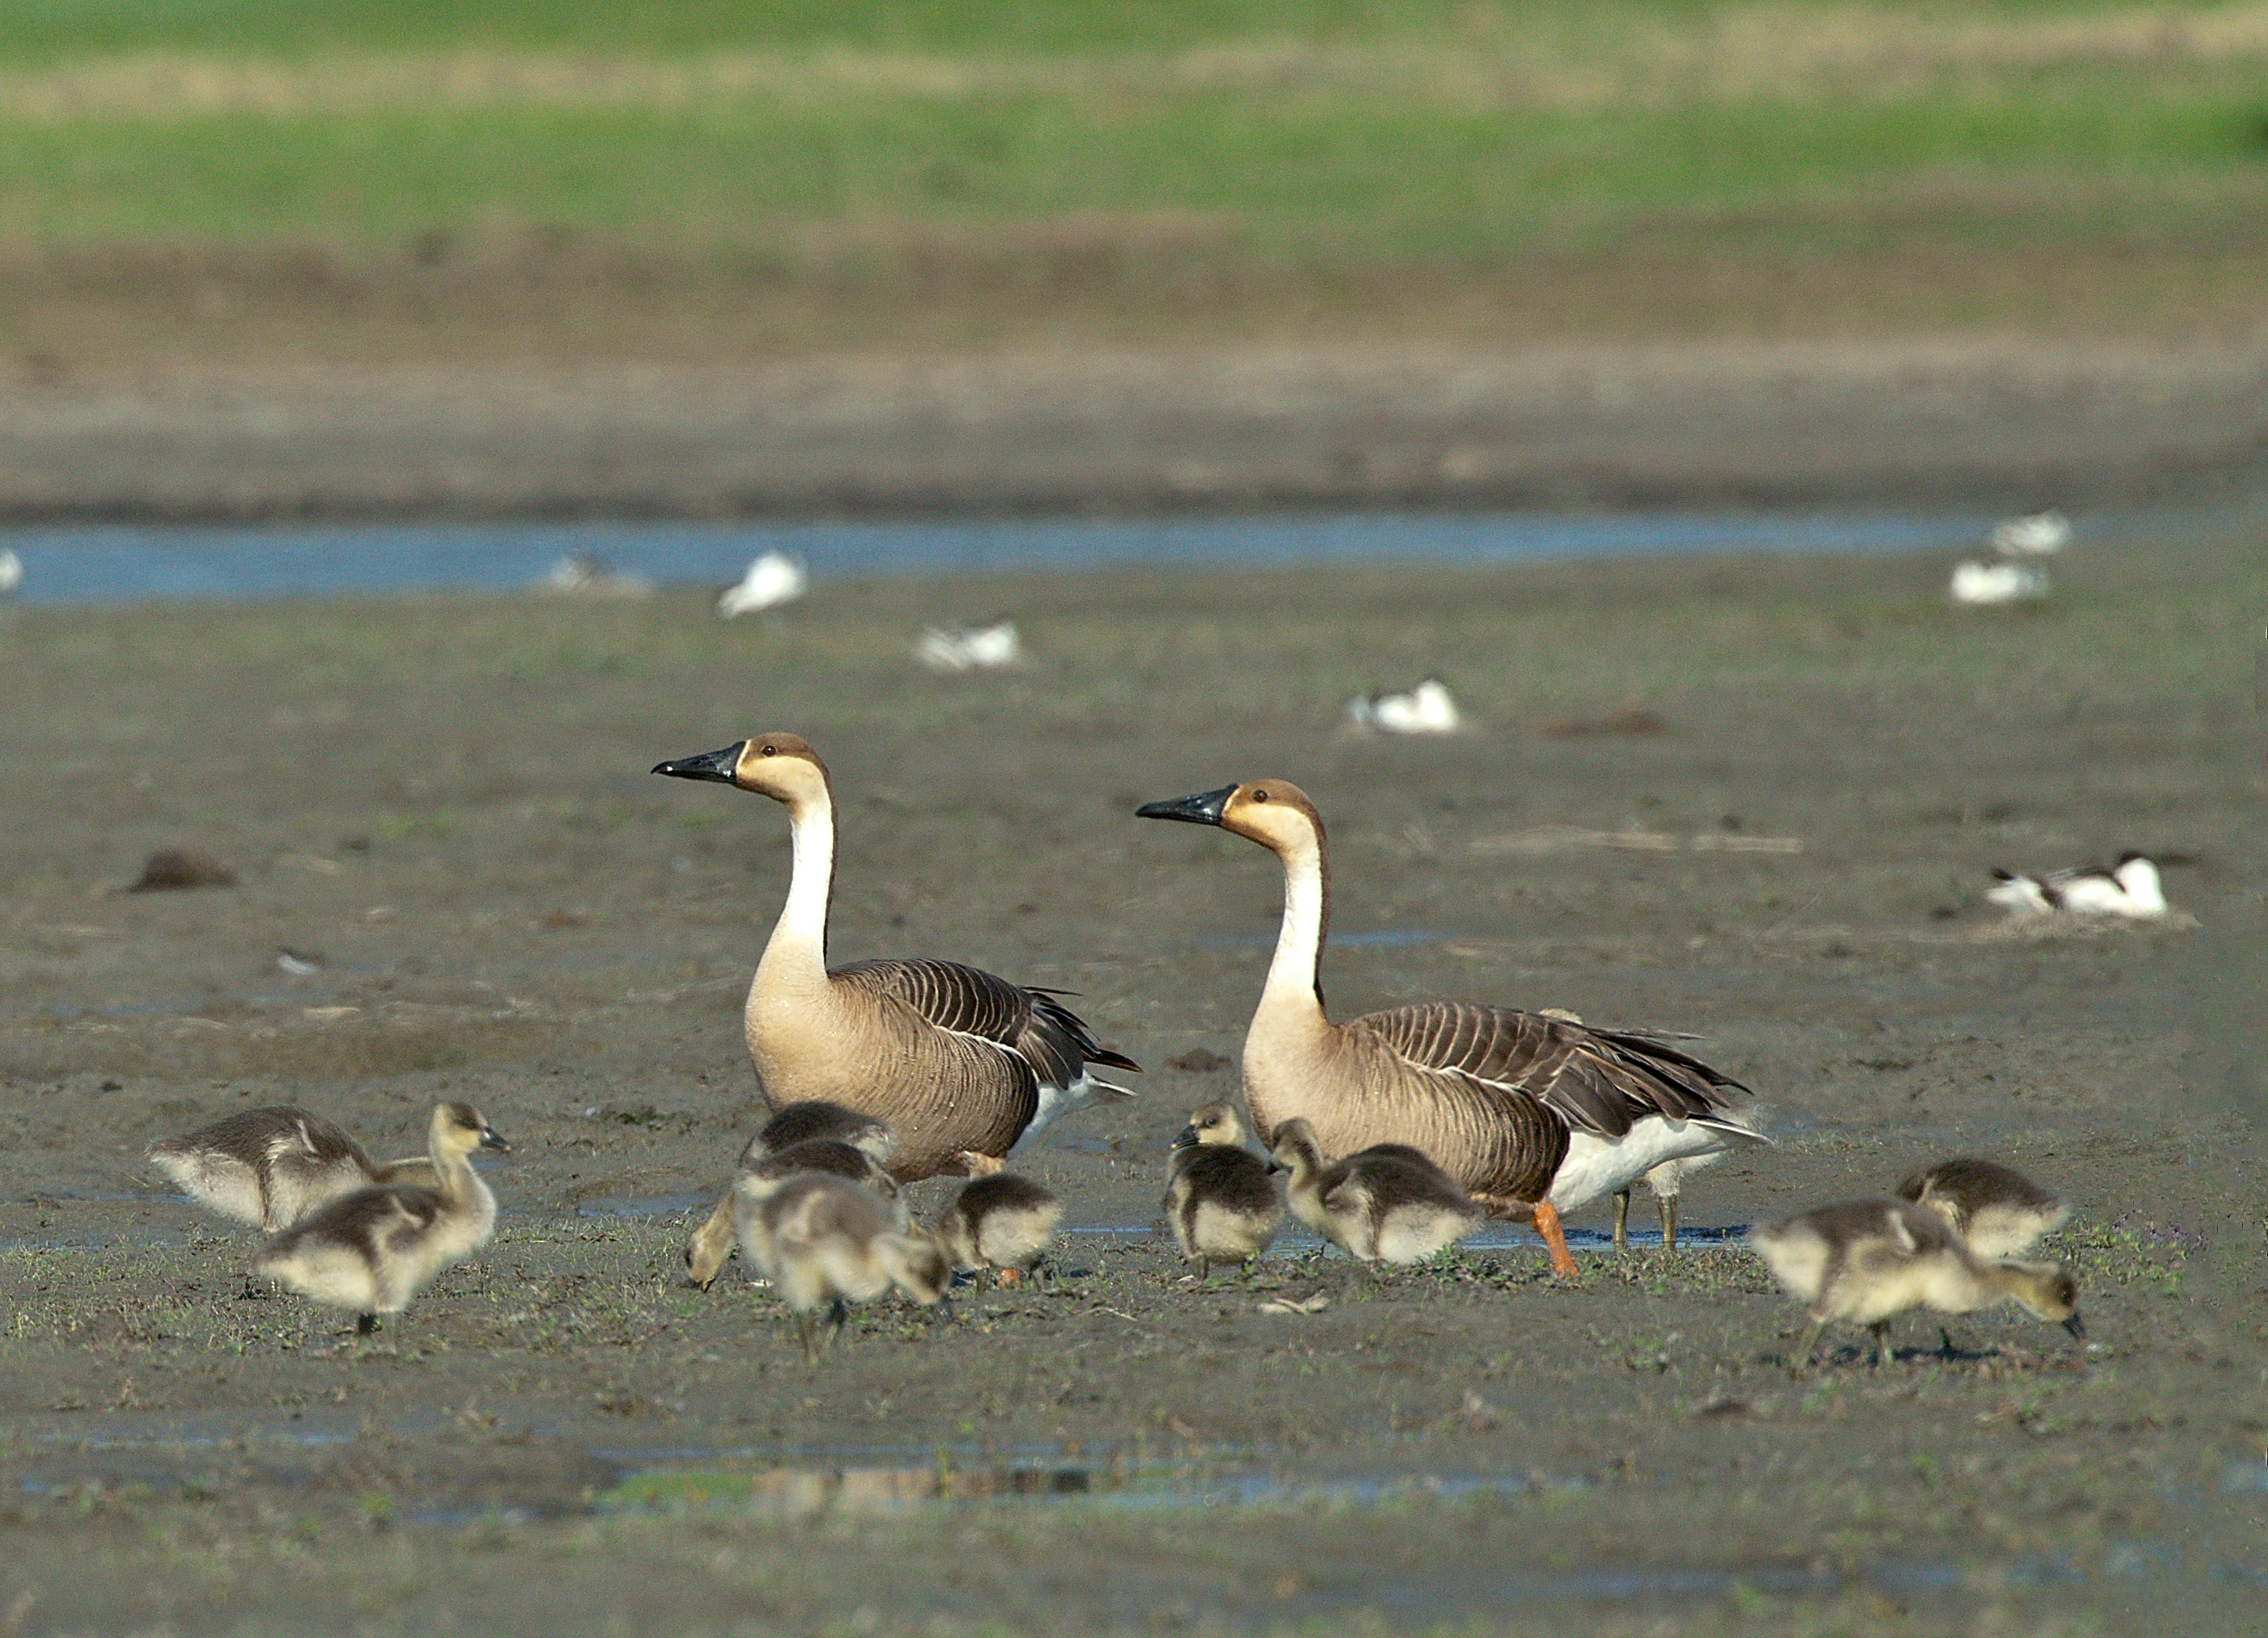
1868,1260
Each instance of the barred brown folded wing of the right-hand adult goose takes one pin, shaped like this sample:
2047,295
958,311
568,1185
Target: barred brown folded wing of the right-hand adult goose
1598,1081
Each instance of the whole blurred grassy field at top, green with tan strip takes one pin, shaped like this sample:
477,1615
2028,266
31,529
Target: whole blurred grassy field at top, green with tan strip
1326,135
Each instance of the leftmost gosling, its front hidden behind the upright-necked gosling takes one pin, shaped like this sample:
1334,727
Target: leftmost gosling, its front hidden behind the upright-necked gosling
273,1165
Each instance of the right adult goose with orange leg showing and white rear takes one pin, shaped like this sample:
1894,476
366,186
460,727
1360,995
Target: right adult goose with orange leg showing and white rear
1527,1113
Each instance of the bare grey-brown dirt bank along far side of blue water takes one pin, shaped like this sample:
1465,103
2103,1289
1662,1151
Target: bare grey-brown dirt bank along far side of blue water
1623,425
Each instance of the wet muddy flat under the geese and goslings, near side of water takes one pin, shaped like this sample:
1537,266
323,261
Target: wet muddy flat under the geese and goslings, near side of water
446,804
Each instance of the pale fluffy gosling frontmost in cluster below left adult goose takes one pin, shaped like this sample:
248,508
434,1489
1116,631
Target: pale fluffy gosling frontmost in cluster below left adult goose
827,1242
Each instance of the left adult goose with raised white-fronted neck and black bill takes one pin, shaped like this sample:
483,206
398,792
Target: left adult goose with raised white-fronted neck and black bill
963,1065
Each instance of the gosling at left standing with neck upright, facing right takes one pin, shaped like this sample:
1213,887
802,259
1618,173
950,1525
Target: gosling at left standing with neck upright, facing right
375,1249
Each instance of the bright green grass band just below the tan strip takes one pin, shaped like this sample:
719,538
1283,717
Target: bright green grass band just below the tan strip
1342,178
